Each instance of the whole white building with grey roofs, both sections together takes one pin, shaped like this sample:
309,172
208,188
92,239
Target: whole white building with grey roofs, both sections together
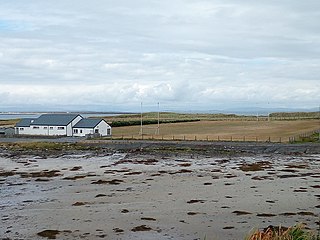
61,125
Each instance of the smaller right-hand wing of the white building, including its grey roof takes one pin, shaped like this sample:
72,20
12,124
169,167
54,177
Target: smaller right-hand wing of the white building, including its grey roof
92,126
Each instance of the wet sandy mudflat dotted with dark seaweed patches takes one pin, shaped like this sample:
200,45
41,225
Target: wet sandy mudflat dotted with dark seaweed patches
140,195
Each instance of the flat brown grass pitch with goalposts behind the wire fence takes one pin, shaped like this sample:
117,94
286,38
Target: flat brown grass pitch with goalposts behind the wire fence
276,131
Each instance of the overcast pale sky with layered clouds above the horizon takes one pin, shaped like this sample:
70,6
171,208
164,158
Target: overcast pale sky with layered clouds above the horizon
185,54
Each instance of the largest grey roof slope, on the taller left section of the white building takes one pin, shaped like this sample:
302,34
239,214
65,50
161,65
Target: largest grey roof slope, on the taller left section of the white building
55,119
